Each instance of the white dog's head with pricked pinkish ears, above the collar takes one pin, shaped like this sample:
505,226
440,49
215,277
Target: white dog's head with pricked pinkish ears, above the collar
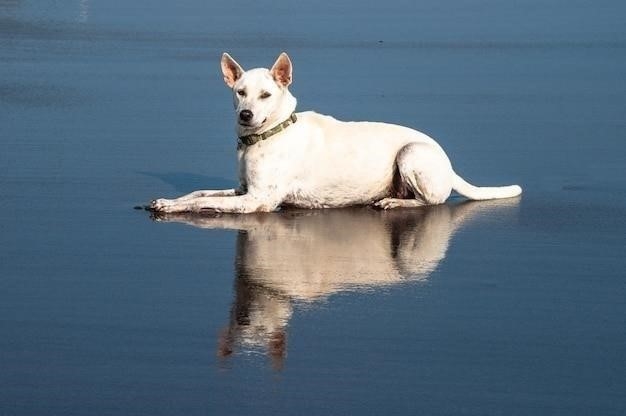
260,95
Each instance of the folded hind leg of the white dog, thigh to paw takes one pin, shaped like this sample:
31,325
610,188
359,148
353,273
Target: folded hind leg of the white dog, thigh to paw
426,171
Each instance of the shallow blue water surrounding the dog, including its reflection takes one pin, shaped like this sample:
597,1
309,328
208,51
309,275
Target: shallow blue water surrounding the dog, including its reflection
515,307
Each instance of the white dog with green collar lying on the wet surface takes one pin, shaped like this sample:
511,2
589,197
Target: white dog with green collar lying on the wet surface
309,160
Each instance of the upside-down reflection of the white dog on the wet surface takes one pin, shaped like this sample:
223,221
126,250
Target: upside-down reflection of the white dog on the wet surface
304,256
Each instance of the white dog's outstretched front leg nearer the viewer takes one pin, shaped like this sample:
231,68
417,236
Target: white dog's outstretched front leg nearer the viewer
239,204
